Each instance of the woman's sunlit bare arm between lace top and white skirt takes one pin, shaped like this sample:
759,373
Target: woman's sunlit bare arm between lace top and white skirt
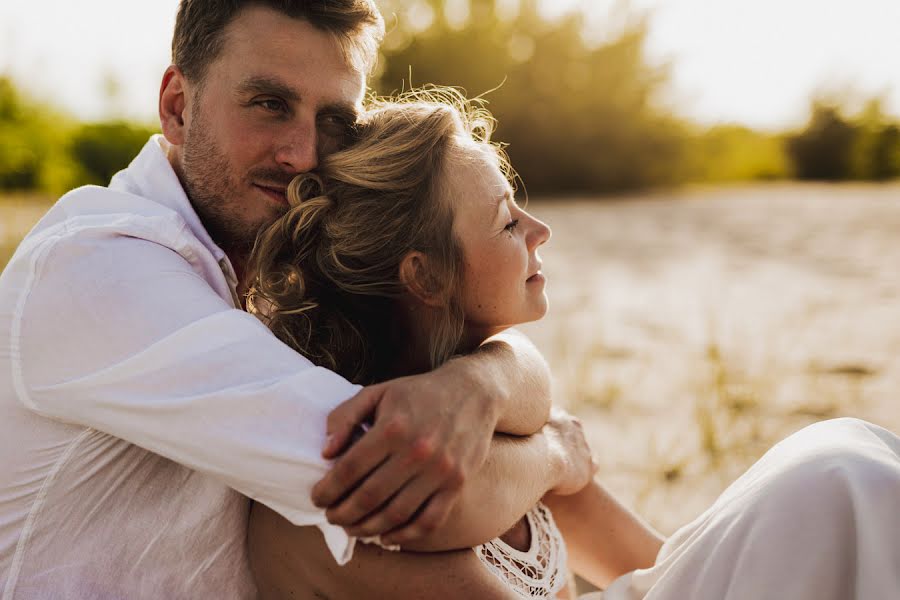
604,538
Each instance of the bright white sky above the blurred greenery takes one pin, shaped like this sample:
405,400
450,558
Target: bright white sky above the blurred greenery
752,62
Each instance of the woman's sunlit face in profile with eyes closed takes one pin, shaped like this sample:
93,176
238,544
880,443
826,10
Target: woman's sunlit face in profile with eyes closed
502,284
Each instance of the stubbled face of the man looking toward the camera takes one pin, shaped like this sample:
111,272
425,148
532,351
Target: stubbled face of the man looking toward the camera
278,96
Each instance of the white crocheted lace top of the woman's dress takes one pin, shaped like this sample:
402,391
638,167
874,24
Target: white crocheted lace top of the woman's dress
539,572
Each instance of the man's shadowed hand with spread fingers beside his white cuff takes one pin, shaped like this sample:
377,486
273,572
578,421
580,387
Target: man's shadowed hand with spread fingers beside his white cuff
429,434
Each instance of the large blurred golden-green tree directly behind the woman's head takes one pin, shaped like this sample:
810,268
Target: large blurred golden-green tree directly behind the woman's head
576,117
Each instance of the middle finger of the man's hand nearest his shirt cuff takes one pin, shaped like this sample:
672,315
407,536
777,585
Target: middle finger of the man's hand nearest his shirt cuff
375,492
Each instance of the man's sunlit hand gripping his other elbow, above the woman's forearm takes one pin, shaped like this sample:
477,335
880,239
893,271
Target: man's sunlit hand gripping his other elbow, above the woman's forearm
576,466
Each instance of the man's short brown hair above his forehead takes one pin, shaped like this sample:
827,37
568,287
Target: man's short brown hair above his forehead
200,27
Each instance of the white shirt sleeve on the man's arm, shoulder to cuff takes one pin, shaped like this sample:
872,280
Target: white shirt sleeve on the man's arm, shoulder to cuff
123,335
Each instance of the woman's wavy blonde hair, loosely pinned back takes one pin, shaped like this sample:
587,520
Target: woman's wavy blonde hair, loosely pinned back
327,273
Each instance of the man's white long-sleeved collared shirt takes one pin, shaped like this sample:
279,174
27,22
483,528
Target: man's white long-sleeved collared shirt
139,405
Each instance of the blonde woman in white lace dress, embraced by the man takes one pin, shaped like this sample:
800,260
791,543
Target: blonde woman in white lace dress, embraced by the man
407,248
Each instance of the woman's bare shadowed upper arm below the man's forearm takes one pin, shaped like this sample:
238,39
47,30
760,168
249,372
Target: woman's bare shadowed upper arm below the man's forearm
294,562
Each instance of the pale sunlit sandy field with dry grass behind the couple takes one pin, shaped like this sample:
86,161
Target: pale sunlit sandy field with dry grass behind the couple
692,330
